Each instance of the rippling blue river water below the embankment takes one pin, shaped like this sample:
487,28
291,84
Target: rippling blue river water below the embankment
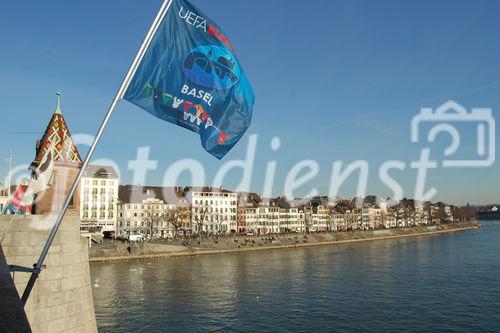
445,282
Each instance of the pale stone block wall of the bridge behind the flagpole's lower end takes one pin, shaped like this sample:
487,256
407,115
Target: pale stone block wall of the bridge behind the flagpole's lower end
61,300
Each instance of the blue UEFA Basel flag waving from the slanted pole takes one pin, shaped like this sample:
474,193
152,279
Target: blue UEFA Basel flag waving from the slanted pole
190,76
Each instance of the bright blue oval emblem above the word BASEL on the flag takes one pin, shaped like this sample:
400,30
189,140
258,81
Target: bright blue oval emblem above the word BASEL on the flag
212,67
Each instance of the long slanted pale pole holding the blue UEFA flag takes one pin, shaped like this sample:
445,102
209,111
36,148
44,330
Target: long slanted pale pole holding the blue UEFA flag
121,91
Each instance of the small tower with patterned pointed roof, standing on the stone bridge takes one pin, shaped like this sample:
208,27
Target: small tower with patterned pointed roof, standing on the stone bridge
67,162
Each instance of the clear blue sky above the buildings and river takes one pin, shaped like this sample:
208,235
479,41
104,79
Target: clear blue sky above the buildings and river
335,80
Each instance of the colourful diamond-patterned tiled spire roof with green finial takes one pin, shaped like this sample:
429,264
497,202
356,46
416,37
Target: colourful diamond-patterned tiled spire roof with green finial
58,136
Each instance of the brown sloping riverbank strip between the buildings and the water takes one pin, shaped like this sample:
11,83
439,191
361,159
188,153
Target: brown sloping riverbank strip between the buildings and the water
113,250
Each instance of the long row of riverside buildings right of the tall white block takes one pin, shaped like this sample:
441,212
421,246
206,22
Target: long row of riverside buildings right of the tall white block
209,211
